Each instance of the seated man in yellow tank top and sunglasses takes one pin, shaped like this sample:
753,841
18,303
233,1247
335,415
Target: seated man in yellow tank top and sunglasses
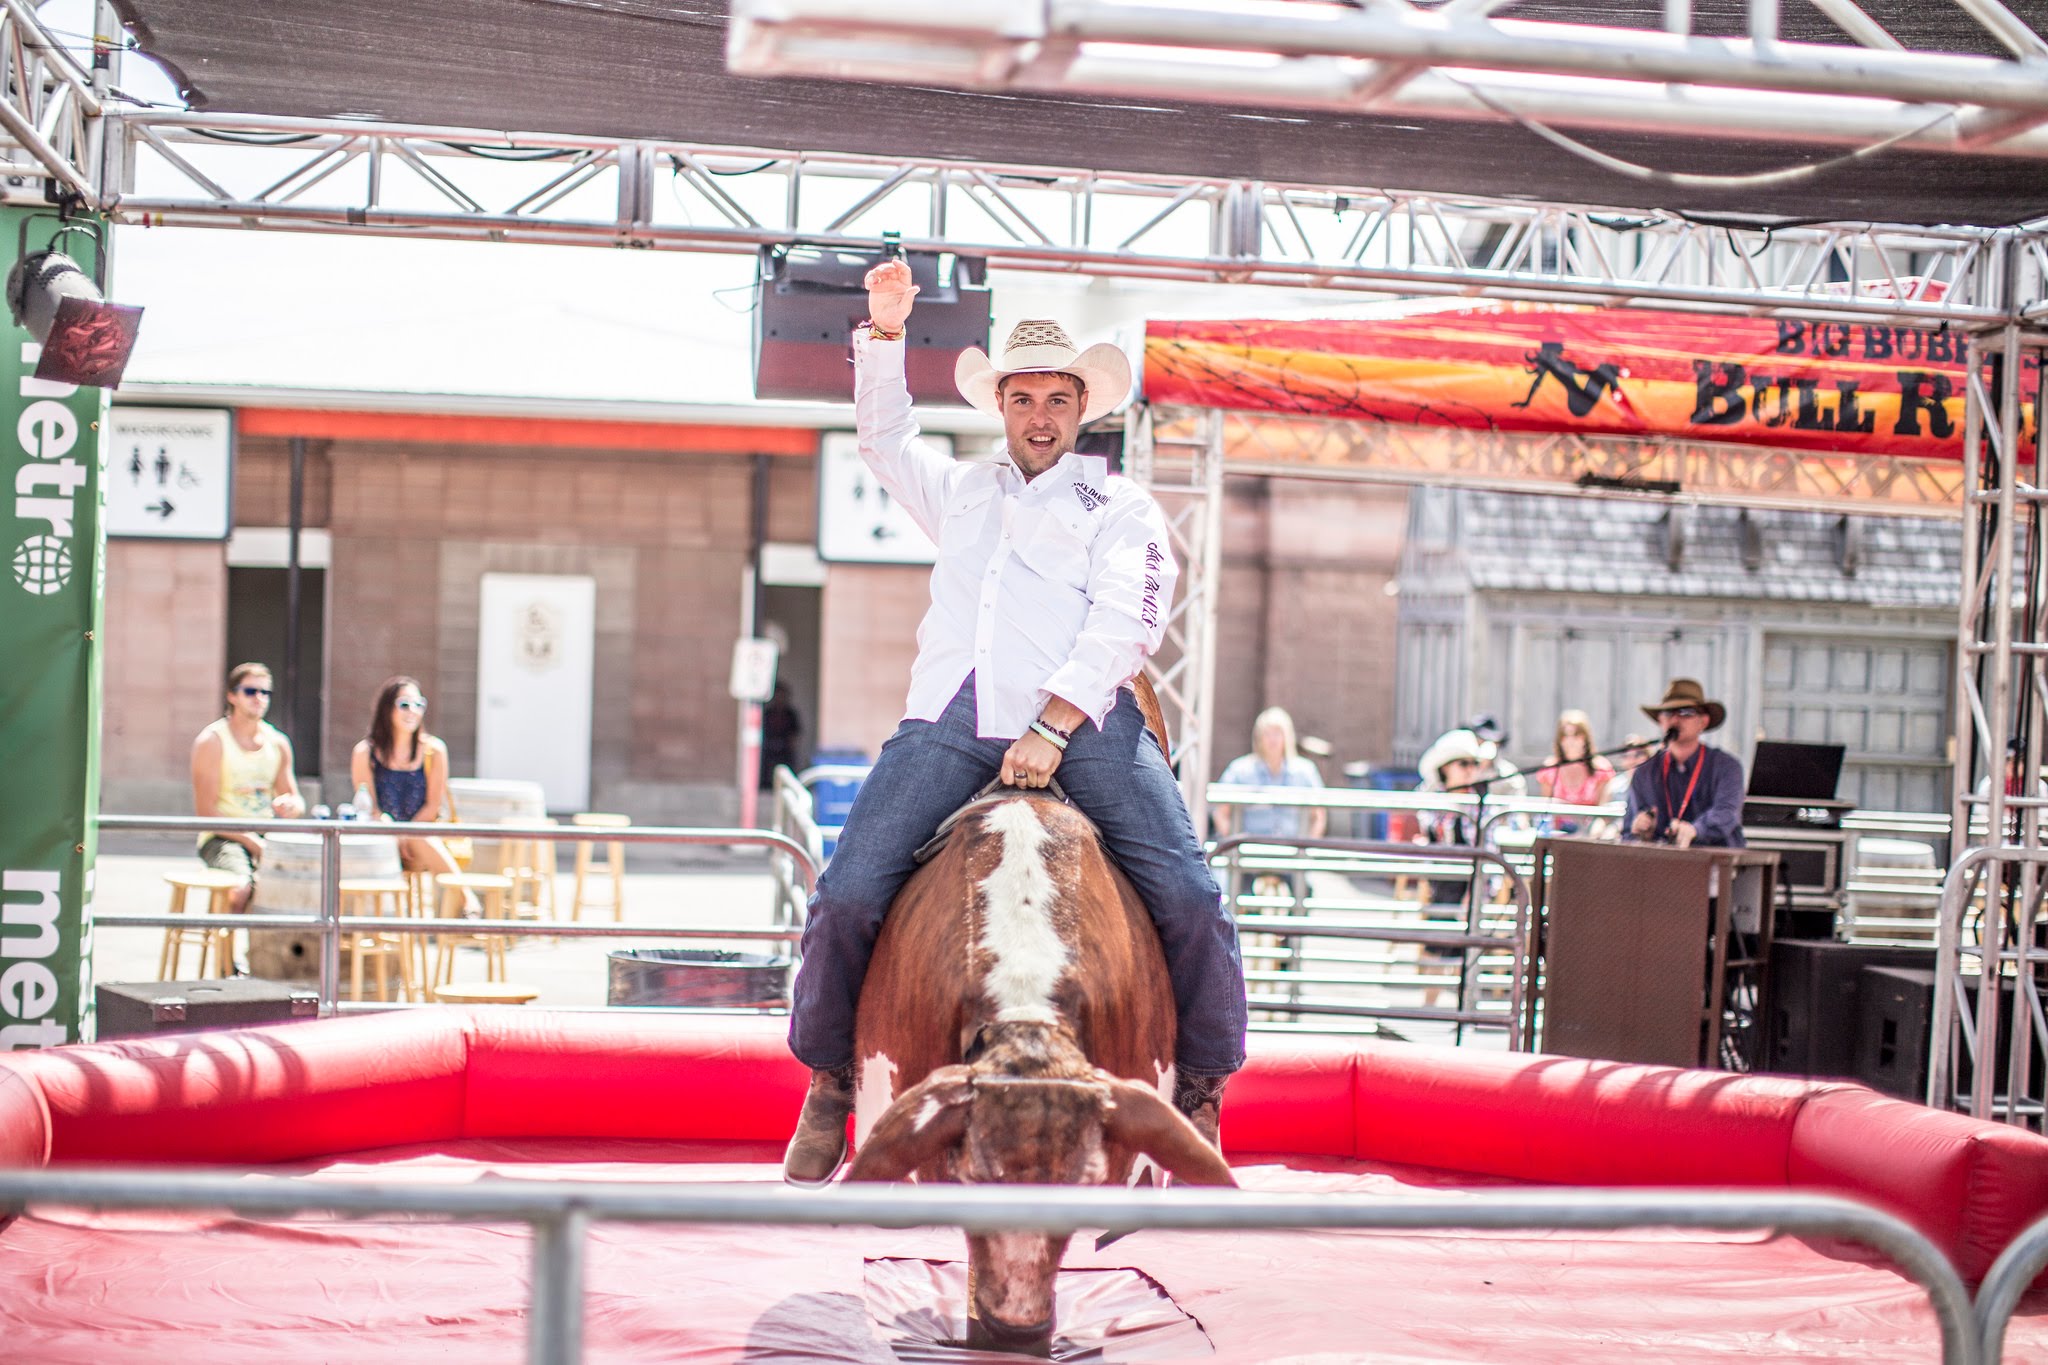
243,770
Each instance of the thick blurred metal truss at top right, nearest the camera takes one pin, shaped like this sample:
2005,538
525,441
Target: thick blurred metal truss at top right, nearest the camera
1447,62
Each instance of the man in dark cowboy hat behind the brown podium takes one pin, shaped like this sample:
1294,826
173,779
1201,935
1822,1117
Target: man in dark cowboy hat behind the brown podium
1689,795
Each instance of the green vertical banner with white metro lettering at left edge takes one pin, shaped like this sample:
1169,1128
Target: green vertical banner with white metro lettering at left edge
52,564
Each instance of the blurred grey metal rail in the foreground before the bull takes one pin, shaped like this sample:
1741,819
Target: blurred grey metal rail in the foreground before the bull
562,1210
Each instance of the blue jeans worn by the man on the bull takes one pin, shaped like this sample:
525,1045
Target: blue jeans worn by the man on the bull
1117,775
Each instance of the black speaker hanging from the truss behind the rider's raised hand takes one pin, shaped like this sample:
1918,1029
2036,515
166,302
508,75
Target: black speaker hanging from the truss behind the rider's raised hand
810,300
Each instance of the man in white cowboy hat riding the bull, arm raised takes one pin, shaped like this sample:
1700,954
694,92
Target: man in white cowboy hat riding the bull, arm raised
1052,590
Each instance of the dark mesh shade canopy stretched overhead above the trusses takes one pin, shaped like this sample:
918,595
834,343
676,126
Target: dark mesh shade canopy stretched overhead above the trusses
644,69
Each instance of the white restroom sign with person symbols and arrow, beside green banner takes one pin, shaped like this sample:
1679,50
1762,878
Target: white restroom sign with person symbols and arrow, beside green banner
169,474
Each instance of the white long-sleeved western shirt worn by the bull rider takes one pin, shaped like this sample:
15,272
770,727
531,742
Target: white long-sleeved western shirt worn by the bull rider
1048,588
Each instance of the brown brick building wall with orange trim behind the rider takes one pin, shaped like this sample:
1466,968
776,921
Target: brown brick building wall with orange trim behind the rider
407,513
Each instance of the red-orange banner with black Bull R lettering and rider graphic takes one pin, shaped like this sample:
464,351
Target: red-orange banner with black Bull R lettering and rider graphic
1510,367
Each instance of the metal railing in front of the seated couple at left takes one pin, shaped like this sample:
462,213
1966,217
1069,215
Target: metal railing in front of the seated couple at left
798,869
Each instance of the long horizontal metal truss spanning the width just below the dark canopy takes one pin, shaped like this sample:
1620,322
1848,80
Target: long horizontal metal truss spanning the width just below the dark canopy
323,175
